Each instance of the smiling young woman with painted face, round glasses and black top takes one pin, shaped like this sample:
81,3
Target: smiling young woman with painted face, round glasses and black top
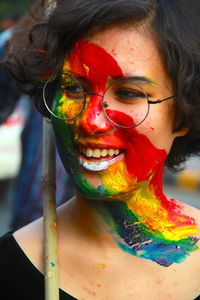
120,82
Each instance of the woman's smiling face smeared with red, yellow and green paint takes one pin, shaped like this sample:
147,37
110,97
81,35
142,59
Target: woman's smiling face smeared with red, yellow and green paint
106,160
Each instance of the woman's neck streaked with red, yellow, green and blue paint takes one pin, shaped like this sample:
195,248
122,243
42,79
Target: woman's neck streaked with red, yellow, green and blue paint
143,223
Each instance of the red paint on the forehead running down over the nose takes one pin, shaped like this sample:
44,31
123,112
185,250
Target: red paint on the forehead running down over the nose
95,65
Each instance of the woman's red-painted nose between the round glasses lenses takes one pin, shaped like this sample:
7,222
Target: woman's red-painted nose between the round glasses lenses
93,119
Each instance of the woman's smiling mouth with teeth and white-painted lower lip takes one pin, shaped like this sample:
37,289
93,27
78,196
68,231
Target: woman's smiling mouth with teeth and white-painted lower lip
98,159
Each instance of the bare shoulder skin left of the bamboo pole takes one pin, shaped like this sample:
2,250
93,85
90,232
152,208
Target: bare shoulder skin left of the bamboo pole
30,240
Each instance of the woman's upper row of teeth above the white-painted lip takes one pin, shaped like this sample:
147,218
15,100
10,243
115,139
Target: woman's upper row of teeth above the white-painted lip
97,153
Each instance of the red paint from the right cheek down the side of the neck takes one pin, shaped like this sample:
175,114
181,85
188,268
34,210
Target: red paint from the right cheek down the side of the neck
143,160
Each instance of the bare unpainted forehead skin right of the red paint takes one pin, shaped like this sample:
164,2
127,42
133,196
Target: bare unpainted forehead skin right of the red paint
132,48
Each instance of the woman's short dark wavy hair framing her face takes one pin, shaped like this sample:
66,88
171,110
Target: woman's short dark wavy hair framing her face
175,24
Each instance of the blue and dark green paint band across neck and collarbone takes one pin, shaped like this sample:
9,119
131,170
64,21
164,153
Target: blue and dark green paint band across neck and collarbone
137,239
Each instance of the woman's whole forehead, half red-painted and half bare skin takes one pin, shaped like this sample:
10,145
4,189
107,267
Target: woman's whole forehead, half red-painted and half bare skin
119,51
